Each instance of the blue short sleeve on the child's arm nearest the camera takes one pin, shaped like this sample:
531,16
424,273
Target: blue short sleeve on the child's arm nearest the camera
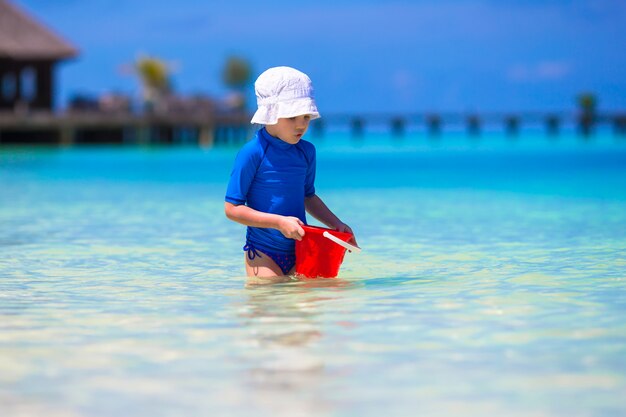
242,175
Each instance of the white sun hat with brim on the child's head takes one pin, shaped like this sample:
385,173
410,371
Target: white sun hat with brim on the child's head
283,92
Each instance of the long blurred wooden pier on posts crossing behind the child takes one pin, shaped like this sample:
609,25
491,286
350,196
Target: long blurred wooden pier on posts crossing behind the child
207,130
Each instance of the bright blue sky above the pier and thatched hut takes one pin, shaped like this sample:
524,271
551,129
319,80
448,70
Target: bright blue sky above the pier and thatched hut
368,56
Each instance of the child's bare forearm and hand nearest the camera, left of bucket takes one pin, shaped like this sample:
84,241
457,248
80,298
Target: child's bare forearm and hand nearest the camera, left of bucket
290,227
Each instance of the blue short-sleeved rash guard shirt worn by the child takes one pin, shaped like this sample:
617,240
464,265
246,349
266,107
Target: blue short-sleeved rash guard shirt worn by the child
273,176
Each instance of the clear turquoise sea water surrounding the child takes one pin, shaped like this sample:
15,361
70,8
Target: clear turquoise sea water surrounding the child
492,282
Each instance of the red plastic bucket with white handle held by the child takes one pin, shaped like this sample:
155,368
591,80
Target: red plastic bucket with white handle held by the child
319,256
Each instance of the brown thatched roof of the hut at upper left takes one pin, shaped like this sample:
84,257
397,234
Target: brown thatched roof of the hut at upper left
21,37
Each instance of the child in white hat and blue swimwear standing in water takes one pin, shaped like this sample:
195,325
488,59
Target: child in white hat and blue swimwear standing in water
272,183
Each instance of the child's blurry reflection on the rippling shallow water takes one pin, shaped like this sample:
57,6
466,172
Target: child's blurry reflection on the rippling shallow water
286,369
